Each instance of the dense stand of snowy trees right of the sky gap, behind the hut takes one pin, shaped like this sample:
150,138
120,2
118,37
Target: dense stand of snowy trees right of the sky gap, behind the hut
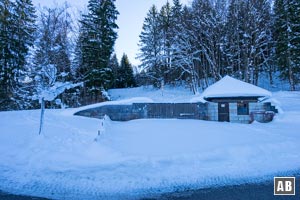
202,42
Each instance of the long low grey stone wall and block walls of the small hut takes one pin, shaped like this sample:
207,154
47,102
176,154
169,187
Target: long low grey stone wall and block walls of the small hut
203,111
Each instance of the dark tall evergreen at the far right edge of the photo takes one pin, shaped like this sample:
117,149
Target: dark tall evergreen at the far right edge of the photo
287,39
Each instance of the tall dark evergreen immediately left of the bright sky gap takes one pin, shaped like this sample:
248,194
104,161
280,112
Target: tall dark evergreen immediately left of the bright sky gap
96,42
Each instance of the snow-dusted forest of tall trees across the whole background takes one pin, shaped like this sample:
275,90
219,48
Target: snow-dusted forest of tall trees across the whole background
50,59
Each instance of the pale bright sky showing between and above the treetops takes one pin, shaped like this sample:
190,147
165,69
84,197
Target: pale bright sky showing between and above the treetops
130,21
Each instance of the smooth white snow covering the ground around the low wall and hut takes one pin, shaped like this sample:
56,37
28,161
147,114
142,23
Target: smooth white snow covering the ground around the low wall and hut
135,158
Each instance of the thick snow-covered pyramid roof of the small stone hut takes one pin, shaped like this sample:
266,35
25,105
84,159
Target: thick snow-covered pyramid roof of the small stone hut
231,87
